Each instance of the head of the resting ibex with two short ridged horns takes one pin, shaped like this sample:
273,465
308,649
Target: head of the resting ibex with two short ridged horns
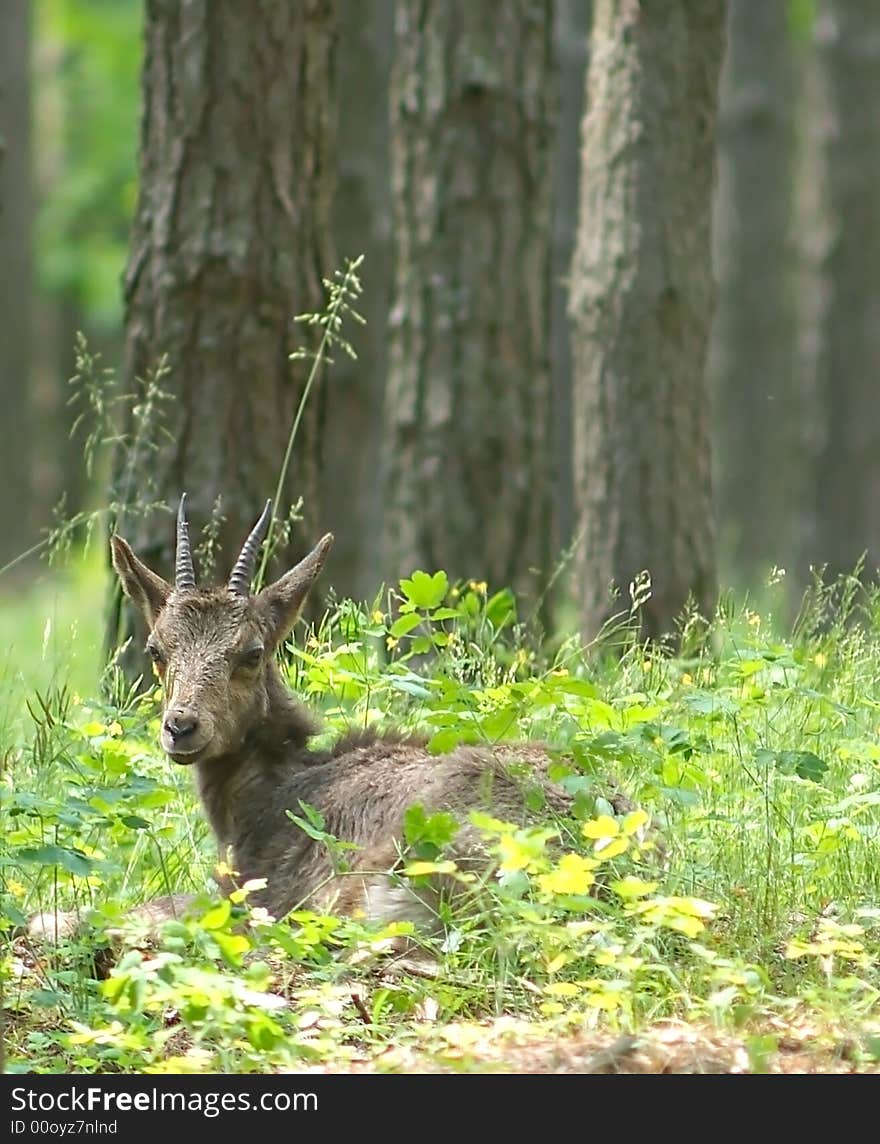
215,648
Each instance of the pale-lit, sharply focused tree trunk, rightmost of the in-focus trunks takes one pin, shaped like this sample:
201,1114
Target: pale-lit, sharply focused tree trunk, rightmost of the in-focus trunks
641,306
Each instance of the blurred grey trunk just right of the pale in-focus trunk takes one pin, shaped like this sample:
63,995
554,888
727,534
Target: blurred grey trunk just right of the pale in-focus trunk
758,451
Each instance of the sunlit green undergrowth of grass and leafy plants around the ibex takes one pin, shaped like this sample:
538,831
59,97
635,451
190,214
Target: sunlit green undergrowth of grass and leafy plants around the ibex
736,885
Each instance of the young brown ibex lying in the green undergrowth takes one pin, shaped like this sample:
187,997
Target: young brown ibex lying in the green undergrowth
228,713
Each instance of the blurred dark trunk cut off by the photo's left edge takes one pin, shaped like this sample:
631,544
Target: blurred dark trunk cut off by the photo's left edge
17,202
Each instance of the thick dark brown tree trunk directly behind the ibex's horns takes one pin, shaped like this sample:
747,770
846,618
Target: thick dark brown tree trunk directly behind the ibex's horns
231,242
